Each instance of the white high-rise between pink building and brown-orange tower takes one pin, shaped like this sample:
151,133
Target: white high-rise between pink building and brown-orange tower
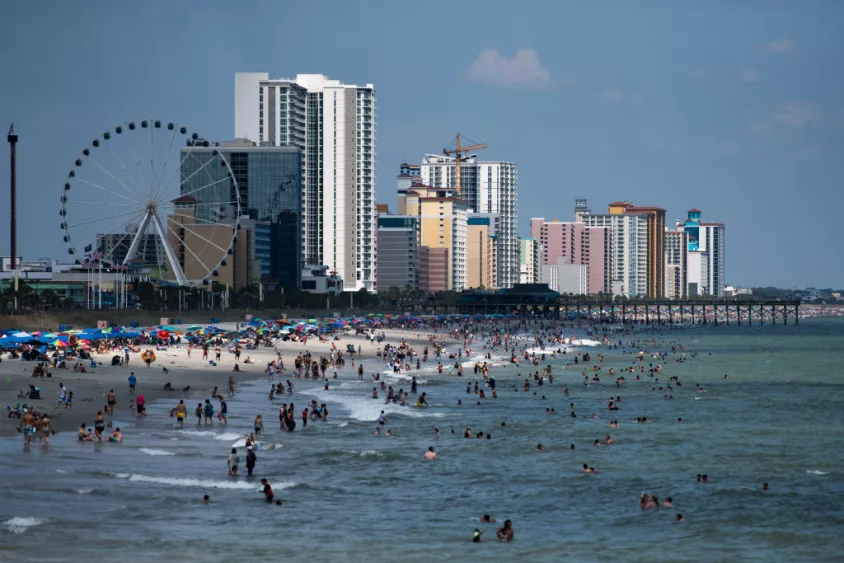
629,263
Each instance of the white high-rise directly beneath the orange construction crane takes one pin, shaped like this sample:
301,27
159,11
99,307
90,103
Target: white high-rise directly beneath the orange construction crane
487,187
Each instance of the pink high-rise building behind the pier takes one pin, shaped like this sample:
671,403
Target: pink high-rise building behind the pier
579,244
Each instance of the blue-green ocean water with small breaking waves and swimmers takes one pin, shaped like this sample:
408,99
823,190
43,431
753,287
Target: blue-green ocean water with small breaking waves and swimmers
351,495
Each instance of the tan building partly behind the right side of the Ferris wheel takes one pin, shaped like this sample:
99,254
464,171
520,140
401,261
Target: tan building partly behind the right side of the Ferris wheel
198,246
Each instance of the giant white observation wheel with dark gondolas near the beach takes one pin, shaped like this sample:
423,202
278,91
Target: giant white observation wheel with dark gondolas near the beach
152,196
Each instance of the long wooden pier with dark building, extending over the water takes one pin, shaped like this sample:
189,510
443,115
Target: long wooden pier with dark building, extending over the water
537,299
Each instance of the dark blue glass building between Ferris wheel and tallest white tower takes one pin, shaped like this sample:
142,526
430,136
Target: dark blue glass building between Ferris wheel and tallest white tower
269,184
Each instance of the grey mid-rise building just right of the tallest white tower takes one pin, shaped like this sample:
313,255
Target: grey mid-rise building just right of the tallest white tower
398,254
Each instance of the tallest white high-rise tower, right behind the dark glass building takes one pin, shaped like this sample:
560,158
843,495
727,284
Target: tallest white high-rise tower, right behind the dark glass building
333,124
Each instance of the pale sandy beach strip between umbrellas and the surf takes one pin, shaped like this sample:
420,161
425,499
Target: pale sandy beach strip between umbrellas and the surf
90,389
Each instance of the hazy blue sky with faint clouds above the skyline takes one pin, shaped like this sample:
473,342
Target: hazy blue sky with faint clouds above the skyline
732,107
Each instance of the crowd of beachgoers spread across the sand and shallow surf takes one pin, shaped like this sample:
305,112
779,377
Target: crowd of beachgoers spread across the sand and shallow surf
531,346
